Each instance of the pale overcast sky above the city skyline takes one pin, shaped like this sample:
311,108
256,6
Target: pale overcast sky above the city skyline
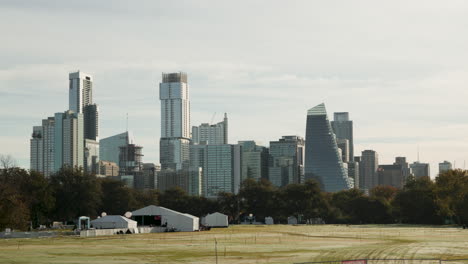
400,68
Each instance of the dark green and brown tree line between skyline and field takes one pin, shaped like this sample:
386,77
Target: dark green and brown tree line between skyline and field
28,199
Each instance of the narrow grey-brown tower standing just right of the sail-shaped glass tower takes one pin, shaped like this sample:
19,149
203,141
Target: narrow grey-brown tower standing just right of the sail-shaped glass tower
369,164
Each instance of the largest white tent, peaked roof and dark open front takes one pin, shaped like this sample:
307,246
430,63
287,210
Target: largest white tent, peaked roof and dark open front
166,217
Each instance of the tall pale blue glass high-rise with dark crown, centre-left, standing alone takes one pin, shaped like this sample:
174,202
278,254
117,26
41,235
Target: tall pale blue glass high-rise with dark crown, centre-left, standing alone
175,121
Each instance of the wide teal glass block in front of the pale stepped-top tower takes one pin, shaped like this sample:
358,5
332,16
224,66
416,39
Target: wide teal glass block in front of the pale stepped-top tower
222,170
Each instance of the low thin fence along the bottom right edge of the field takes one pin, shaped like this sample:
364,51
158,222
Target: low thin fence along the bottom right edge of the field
391,261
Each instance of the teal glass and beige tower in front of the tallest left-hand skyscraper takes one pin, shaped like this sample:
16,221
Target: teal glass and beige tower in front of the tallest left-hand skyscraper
69,140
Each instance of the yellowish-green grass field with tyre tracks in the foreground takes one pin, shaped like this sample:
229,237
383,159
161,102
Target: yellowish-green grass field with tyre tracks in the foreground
247,244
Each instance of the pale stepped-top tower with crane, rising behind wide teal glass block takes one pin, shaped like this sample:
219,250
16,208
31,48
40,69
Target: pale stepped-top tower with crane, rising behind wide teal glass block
216,134
